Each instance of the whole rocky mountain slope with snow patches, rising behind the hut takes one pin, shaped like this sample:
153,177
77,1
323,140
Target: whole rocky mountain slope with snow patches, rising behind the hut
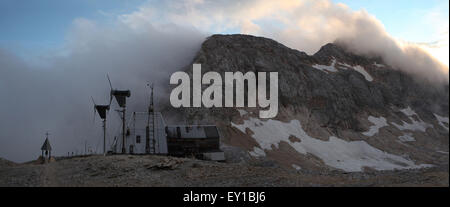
337,110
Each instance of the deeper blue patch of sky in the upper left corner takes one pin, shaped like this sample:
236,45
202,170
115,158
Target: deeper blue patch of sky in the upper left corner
30,26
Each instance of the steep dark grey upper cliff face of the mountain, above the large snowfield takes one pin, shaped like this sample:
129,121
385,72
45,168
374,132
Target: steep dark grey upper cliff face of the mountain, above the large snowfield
334,98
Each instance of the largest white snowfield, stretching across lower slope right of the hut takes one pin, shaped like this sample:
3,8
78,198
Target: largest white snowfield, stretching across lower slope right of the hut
348,156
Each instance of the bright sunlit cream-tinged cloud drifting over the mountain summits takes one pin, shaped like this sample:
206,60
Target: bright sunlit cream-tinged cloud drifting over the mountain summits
307,25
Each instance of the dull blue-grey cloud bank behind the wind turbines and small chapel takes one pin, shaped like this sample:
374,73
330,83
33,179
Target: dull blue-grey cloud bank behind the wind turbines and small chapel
57,98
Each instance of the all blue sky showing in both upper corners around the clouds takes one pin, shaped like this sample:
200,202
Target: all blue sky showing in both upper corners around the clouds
29,27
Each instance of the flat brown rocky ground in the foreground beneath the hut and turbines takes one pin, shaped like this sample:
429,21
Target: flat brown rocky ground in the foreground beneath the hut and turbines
149,170
